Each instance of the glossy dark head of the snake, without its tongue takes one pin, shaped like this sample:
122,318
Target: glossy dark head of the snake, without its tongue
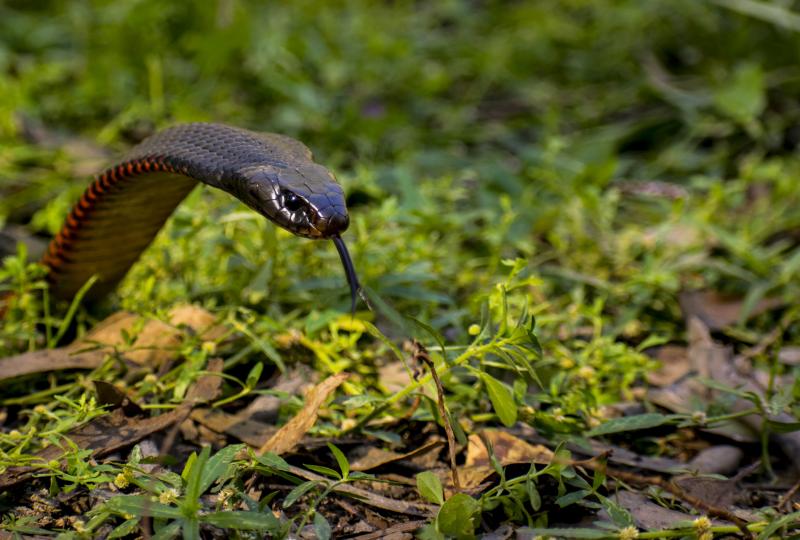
304,199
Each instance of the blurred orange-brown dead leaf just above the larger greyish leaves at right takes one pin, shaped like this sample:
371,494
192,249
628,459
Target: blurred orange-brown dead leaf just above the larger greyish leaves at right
718,311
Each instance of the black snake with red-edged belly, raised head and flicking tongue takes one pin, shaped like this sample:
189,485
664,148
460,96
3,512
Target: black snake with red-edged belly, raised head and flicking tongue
124,207
